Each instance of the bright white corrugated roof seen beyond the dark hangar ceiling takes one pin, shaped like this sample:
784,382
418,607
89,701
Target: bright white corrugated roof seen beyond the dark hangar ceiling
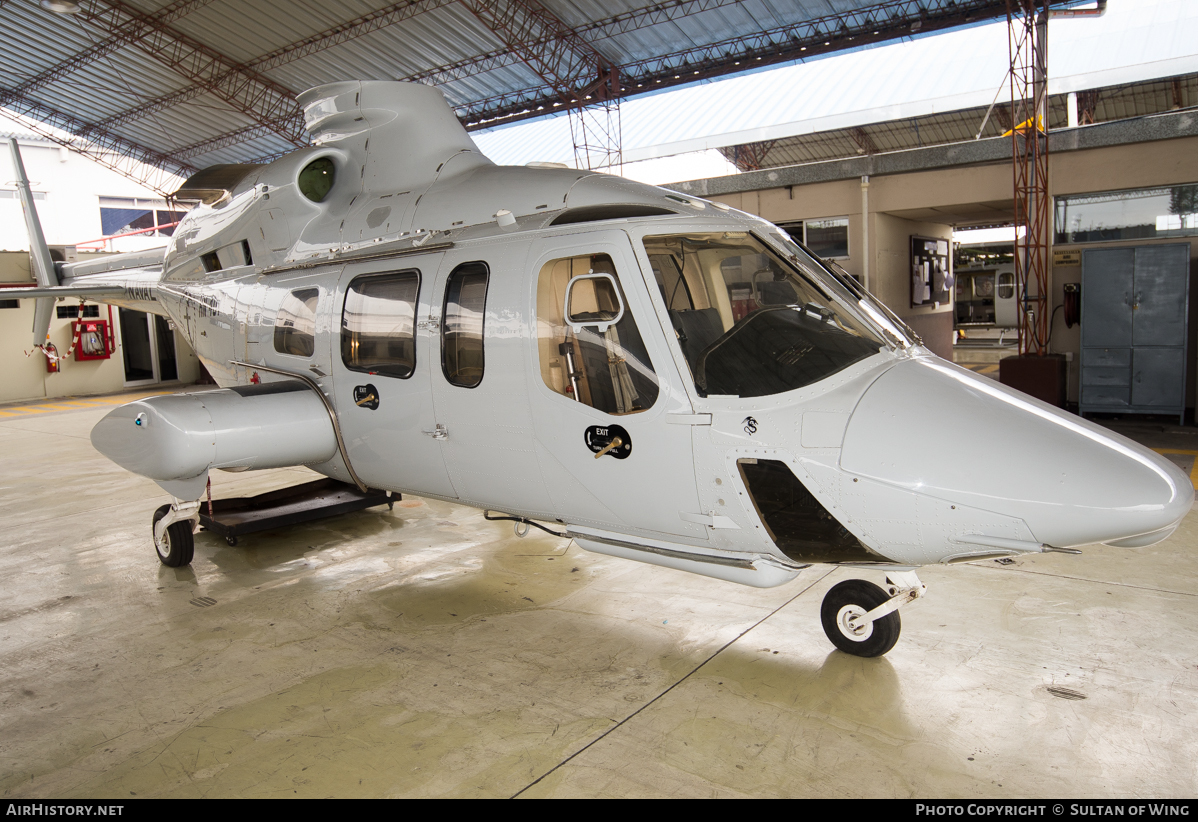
1138,41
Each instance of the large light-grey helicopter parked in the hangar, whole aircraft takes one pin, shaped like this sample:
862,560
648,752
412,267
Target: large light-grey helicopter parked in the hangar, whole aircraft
667,379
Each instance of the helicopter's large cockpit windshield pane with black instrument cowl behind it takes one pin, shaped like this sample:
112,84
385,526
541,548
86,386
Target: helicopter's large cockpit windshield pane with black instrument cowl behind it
752,323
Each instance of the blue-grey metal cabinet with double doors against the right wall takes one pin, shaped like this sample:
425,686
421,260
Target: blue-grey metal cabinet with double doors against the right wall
1134,329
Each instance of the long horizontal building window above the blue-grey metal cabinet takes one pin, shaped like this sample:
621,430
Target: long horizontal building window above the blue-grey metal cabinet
1142,214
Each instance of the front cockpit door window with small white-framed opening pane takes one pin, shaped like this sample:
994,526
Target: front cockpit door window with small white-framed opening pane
588,360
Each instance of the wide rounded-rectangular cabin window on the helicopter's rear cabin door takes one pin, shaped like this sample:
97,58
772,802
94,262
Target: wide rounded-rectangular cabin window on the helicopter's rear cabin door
379,324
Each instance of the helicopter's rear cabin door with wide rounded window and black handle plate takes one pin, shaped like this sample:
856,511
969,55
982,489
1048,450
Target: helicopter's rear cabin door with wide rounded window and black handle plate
384,356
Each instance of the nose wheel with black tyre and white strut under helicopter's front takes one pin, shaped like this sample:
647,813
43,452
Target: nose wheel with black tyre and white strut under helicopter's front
862,619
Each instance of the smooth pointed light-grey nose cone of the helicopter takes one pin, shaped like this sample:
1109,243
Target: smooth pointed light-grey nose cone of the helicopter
941,431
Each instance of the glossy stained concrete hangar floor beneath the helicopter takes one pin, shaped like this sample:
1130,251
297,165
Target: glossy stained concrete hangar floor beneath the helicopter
428,652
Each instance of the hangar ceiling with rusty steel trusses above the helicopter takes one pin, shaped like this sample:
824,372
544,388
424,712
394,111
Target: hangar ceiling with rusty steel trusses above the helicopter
158,90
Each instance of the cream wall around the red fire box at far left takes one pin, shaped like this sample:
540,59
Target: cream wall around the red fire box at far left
26,378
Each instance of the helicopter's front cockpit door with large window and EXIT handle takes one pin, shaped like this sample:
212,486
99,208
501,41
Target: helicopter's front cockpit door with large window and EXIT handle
592,384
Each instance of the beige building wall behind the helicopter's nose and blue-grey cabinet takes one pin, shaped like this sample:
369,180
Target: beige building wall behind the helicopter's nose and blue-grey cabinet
931,203
